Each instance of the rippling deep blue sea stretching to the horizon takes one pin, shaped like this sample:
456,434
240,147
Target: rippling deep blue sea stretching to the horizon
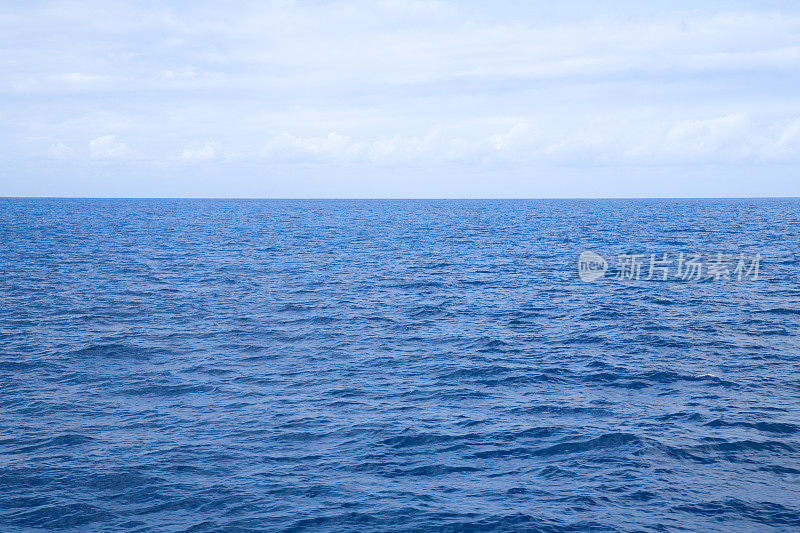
394,366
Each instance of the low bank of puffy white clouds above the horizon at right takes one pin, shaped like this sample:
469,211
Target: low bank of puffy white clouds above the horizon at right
595,140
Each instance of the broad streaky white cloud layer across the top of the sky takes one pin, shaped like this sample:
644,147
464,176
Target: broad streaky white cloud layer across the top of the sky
285,45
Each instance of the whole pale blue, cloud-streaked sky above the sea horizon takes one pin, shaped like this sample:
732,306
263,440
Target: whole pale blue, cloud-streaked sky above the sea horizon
400,99
